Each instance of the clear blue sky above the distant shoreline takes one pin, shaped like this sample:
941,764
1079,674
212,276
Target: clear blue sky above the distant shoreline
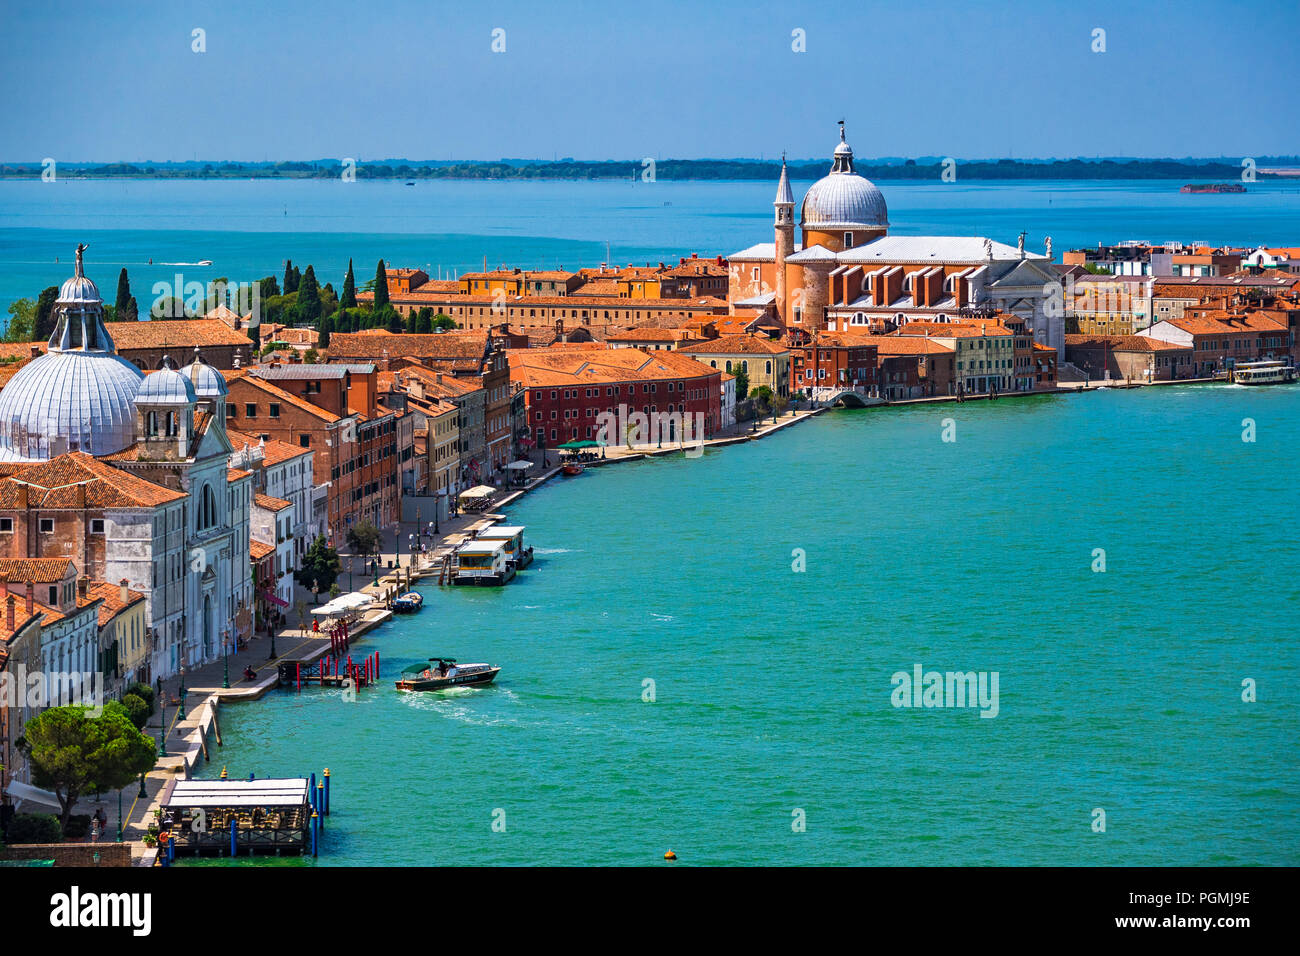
630,79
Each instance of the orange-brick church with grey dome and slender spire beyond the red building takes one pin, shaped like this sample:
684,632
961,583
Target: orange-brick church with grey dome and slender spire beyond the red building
846,274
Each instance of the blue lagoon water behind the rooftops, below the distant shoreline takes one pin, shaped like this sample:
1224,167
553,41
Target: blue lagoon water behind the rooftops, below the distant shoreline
248,230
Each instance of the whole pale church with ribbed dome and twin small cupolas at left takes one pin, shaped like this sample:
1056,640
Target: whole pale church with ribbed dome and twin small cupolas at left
128,477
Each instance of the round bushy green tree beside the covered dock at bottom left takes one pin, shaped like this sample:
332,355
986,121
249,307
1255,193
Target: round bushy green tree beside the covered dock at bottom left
72,754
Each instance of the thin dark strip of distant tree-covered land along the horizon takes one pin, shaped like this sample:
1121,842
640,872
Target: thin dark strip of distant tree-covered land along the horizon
742,170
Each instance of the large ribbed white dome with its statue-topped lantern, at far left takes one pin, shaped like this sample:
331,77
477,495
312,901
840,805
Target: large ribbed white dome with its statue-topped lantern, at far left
77,397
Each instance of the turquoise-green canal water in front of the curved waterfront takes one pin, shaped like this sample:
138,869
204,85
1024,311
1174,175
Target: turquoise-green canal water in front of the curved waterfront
1120,690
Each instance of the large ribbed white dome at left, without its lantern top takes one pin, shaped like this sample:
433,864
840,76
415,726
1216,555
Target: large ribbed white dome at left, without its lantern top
70,401
